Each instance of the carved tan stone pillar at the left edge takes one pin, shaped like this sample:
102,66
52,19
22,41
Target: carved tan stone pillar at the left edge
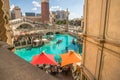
5,30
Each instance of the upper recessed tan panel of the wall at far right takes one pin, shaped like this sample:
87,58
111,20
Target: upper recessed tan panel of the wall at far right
112,33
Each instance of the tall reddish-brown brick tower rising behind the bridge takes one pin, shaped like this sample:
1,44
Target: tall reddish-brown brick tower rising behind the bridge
45,11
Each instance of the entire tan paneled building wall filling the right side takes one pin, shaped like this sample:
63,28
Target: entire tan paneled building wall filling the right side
101,45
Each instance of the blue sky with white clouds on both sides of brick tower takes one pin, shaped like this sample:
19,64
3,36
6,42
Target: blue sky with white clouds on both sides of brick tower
75,7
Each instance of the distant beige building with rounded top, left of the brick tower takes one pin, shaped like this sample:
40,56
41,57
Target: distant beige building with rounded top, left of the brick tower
16,13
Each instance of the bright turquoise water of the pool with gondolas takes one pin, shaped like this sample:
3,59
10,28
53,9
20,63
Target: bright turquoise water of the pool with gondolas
51,48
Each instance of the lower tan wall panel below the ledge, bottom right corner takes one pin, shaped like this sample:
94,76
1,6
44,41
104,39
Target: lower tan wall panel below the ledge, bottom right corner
110,65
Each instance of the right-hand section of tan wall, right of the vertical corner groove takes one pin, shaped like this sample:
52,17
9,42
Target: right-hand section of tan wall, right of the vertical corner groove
110,67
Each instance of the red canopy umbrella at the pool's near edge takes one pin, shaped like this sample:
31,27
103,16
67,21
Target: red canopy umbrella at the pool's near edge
43,58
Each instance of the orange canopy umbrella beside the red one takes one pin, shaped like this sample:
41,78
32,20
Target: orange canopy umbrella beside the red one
69,58
